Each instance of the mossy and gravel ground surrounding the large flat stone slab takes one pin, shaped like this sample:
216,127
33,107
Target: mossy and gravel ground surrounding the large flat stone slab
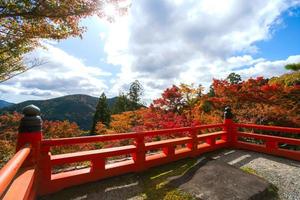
283,173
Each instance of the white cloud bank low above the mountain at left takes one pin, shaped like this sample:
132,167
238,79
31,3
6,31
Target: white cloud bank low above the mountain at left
61,75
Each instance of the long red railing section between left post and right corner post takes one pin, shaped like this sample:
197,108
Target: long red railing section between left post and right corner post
184,143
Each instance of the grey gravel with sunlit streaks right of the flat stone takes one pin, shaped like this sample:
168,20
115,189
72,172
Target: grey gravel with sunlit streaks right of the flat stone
283,173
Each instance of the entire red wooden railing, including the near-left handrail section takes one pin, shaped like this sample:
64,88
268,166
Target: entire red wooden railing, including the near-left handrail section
175,144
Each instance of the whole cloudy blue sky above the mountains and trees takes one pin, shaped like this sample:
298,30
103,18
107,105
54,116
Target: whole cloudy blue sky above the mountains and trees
165,42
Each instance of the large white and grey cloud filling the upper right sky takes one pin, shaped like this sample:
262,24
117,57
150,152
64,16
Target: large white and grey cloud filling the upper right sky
165,42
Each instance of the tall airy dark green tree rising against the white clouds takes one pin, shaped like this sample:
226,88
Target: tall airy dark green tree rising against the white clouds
135,92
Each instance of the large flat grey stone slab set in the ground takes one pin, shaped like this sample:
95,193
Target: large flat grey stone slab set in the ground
217,180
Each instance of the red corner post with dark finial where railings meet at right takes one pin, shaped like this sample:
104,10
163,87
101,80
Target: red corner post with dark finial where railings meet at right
230,128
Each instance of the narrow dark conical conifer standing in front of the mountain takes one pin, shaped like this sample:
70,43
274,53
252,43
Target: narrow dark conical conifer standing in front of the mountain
102,113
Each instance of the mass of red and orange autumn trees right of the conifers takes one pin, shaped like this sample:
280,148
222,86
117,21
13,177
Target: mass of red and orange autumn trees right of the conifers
256,100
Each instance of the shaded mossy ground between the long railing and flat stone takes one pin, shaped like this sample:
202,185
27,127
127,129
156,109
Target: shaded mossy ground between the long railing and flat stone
151,184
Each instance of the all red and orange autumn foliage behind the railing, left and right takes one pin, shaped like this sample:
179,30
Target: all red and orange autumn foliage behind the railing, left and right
256,100
